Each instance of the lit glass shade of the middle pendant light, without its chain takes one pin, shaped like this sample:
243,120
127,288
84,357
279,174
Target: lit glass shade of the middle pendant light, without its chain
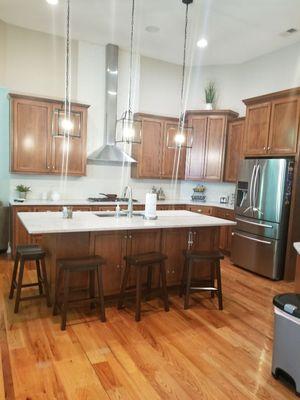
129,129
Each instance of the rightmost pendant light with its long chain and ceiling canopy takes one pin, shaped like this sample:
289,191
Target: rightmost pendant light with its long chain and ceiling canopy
183,137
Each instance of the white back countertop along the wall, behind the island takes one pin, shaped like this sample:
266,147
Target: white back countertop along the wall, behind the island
73,202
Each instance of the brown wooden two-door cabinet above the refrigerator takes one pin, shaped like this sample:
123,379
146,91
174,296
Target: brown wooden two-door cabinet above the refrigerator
272,124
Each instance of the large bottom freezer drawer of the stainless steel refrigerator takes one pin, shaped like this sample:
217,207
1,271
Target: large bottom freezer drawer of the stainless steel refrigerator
258,254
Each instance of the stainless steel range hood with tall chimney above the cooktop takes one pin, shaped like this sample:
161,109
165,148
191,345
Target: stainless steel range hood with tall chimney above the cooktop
109,152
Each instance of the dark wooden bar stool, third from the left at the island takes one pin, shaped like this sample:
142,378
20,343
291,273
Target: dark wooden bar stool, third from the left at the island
140,261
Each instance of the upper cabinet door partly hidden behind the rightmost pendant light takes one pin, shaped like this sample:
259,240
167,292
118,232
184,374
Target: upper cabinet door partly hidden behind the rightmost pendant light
173,159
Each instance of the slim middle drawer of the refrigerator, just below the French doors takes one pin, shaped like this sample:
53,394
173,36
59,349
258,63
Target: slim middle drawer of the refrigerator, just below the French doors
258,227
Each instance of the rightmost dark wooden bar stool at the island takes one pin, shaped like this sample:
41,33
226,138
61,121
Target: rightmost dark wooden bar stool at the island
215,271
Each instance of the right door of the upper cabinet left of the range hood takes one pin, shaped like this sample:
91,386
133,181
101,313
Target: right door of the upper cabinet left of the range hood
69,152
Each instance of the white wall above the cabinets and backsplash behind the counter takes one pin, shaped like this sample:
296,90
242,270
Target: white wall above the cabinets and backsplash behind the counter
33,63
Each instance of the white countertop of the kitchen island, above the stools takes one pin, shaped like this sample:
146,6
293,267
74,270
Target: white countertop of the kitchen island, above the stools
87,221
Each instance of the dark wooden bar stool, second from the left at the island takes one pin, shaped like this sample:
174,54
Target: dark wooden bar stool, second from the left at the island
92,265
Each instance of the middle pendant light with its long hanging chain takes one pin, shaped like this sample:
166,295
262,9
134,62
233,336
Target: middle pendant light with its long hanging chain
129,127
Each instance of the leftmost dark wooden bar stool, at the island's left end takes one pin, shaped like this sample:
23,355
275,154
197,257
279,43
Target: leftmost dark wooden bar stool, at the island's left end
23,254
